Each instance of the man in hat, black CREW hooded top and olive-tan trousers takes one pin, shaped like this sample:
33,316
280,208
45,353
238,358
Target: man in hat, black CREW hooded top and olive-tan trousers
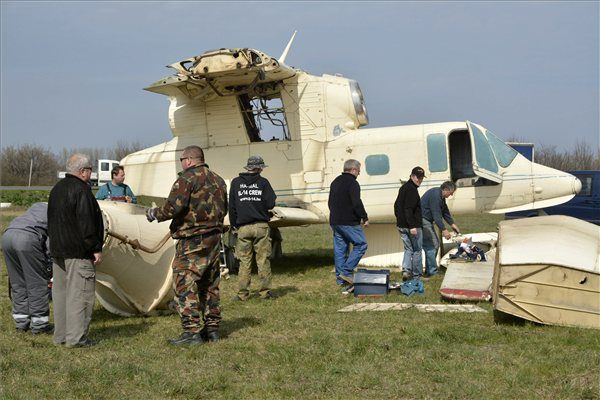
250,199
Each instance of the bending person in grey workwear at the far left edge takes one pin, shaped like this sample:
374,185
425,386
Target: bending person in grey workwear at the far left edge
25,247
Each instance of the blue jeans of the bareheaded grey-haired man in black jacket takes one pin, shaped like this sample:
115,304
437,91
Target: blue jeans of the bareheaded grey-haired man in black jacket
345,261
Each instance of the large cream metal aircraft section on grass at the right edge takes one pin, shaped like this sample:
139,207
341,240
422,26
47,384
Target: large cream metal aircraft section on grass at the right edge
548,271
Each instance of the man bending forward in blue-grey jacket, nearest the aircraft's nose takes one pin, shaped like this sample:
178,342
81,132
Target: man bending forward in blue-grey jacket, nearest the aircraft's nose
435,211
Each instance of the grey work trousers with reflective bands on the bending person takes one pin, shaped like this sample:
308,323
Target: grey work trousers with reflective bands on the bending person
27,266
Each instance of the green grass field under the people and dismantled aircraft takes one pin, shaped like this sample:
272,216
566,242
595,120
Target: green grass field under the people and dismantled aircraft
299,347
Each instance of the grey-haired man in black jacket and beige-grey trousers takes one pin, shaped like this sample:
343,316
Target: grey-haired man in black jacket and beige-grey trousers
76,233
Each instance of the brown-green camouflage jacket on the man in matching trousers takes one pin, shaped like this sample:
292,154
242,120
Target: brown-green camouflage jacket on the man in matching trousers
197,203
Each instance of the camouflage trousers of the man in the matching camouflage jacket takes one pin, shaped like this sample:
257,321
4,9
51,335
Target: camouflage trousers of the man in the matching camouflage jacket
196,277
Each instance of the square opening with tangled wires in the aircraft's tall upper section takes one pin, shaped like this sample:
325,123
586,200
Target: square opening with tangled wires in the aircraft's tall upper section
264,117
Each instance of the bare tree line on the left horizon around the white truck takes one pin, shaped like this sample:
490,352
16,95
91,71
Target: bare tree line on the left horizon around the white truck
15,161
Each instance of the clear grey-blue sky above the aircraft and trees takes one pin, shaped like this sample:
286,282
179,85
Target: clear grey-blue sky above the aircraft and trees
73,72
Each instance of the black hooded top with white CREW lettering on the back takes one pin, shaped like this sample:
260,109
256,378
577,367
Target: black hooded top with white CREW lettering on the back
250,199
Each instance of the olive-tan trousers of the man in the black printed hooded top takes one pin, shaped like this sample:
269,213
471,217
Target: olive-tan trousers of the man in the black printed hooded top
254,239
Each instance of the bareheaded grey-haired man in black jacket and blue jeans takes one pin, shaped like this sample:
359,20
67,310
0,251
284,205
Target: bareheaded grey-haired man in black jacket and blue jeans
346,214
